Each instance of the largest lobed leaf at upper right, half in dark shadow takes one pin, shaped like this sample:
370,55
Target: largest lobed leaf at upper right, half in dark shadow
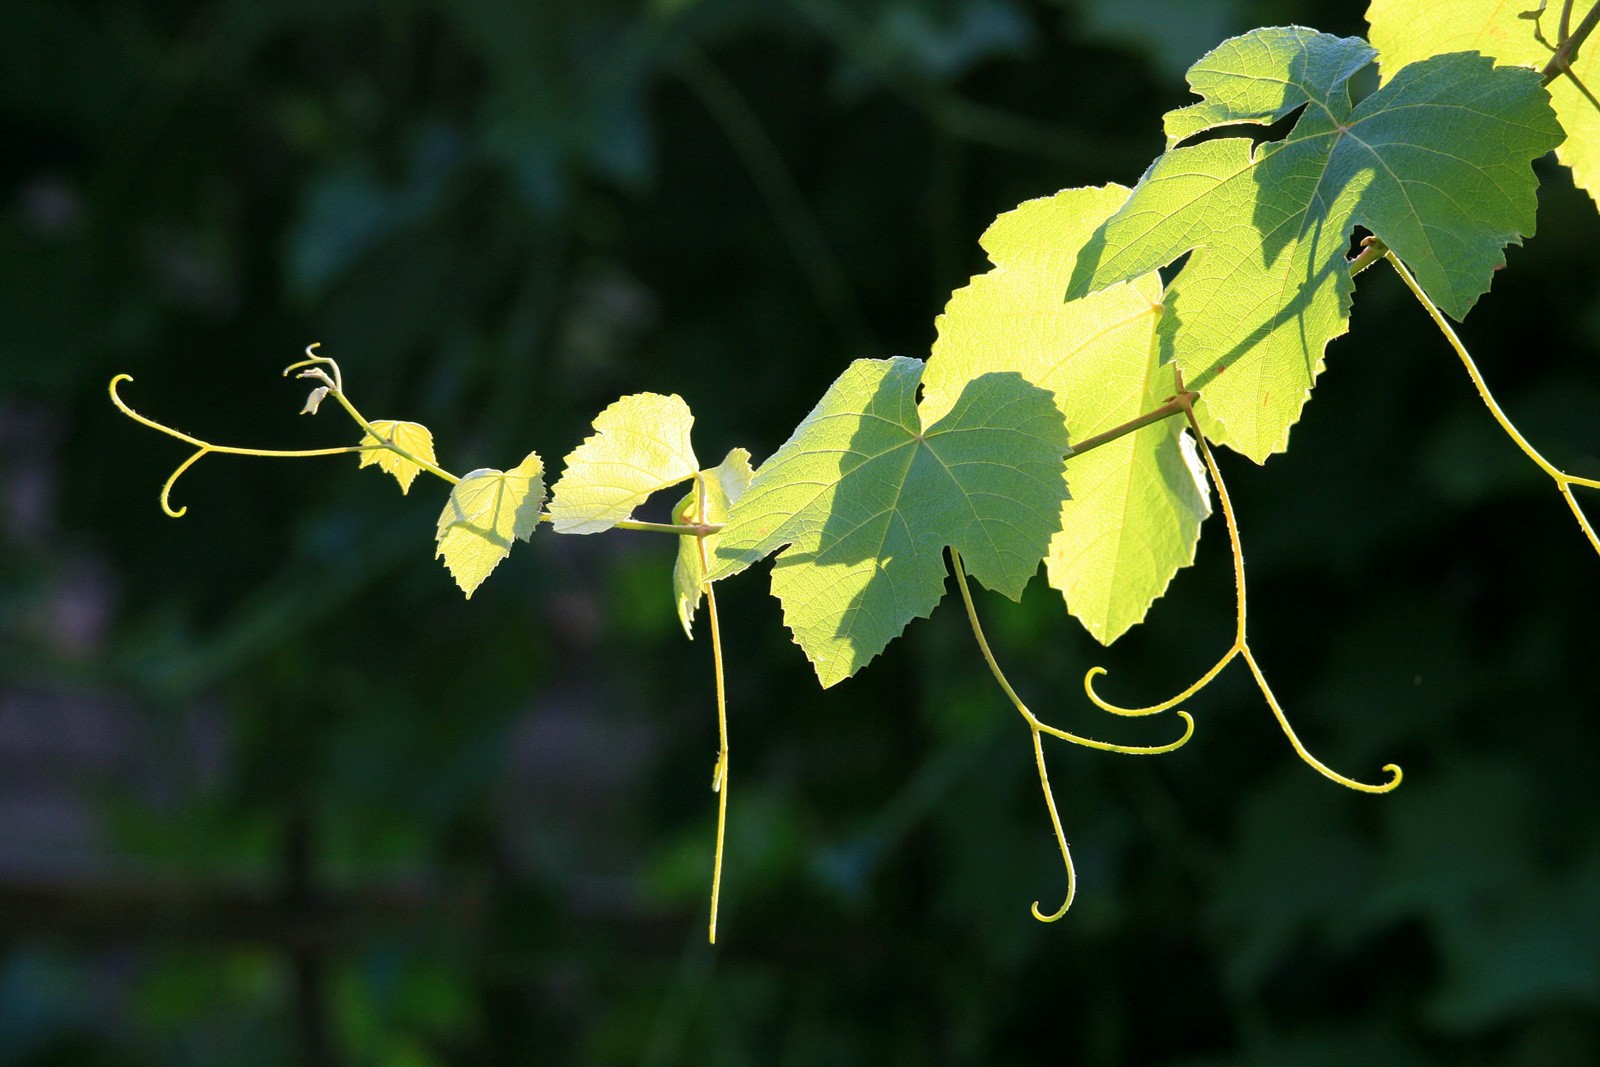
1436,164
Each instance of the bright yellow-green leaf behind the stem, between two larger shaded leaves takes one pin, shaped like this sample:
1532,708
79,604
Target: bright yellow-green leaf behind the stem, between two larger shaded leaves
1137,503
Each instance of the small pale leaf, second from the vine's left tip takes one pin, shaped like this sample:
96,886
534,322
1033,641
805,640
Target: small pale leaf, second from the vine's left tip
489,510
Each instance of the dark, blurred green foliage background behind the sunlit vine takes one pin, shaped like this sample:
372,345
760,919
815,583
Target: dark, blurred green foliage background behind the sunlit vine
271,793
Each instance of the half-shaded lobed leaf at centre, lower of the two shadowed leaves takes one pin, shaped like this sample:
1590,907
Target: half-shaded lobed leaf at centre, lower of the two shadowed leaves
866,500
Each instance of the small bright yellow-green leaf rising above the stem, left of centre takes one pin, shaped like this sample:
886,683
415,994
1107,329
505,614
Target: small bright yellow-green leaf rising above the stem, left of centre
642,446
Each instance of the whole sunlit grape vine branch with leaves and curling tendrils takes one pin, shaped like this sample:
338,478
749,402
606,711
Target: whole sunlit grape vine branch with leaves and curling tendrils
1071,402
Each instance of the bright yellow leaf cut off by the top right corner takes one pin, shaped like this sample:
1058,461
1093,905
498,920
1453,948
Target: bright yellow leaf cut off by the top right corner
1407,31
